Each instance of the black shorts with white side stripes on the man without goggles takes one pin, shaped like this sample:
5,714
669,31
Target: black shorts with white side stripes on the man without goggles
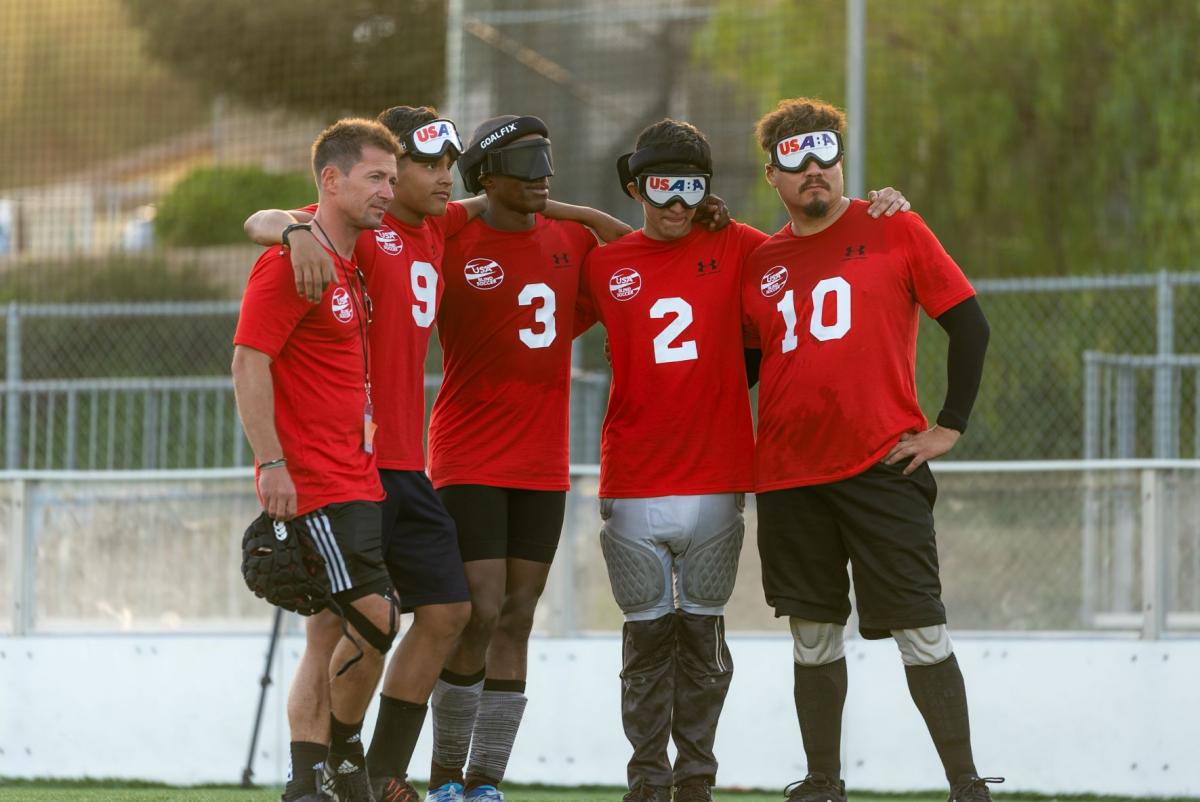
347,536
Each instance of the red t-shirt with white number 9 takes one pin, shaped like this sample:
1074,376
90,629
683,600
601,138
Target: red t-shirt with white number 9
403,265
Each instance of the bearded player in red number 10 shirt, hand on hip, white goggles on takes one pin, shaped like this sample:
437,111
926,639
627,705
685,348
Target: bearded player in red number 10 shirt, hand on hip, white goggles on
833,301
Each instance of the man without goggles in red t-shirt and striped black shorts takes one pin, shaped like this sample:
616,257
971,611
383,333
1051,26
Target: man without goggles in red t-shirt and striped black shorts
303,382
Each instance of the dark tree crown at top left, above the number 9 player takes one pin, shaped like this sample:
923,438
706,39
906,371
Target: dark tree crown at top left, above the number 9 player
304,56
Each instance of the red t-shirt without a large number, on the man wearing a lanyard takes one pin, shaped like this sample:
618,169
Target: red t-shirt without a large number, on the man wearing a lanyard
317,369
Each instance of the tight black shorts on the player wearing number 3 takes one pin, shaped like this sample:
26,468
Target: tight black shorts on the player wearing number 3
501,523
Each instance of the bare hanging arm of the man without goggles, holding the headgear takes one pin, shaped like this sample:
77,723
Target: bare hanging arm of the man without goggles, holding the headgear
255,394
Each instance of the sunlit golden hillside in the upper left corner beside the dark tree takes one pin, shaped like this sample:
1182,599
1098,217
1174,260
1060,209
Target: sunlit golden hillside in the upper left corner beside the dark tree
73,77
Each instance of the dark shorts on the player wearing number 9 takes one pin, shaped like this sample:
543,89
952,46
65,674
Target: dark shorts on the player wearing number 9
419,543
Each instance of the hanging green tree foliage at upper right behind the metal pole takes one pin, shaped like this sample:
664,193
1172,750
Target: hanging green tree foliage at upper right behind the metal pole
1037,139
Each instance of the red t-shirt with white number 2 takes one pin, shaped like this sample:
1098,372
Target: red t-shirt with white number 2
679,420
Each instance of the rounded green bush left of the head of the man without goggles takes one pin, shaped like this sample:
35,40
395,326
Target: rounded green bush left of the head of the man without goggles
211,205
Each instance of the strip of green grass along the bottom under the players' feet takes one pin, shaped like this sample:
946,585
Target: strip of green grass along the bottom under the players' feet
117,792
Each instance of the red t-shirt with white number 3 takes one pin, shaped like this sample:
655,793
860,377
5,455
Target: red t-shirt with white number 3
501,417
